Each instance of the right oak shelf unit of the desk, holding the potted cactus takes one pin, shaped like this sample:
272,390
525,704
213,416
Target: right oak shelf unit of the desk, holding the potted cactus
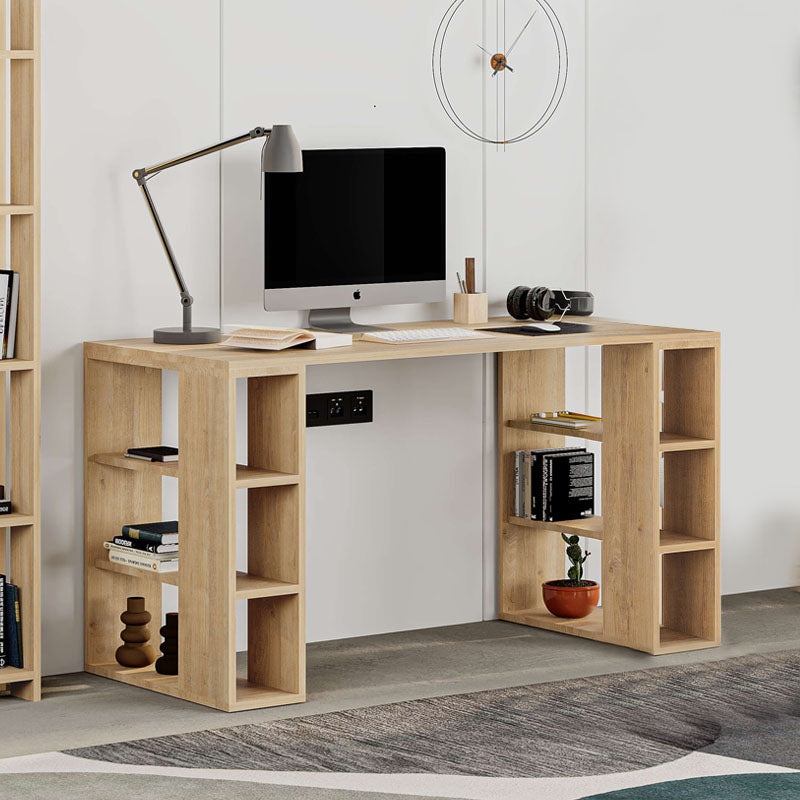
660,567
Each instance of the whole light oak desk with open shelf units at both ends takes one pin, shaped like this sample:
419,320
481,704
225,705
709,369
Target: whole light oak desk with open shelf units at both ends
661,589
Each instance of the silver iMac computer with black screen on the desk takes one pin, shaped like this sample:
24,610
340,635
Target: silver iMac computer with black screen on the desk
355,228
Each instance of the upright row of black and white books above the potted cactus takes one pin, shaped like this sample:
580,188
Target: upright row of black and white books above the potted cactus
554,484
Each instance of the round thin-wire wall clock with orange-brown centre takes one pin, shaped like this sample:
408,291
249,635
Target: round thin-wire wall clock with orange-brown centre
500,67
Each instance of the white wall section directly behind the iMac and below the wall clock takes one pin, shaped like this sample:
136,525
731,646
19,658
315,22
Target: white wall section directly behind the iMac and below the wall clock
359,75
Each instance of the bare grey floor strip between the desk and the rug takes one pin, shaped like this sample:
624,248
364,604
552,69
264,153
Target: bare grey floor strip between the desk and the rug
80,710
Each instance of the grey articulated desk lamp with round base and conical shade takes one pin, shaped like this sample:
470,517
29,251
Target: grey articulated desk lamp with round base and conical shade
281,153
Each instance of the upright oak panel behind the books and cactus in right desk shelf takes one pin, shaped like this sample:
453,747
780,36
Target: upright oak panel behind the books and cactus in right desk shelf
527,380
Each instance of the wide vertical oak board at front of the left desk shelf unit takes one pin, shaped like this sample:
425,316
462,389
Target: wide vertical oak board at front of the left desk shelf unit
207,514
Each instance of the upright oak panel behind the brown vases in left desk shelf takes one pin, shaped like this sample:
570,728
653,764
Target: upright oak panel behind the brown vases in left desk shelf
122,408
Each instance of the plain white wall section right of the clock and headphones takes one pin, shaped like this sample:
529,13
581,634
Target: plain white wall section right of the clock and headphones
694,201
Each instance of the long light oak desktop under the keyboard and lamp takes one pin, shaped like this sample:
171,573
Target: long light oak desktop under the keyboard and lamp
239,362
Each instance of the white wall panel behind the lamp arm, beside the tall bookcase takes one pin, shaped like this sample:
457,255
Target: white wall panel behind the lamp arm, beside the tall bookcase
124,84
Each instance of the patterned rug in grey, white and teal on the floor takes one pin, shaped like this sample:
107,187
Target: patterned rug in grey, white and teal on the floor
729,729
